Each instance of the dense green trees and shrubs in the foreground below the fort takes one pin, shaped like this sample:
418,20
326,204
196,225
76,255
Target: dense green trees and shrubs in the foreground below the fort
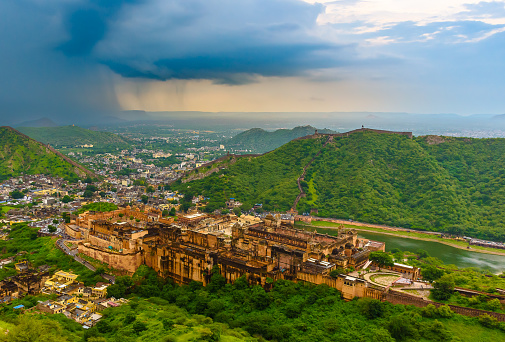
289,312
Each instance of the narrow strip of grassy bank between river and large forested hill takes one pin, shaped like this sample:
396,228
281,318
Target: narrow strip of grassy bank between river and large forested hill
405,234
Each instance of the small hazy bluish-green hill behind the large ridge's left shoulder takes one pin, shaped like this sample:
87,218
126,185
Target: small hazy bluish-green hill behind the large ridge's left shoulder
258,140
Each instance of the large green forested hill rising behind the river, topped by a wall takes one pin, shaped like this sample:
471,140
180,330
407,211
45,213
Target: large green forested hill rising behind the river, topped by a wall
430,183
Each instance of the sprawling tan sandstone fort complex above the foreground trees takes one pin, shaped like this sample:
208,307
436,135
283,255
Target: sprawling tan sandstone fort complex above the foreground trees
188,249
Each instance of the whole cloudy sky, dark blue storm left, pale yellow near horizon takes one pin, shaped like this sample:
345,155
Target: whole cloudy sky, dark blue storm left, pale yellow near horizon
69,59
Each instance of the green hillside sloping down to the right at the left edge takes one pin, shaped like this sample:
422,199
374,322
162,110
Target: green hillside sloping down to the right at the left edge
21,154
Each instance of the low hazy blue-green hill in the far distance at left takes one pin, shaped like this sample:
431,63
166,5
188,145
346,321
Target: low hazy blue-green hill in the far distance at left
72,136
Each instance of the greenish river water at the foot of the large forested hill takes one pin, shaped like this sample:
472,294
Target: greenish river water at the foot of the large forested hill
448,254
